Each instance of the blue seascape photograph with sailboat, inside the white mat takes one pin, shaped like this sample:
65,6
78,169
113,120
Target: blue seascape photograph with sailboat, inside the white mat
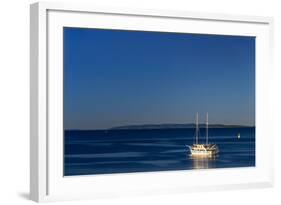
150,101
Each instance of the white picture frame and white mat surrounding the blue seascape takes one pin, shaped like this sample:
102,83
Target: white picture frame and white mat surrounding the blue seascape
47,182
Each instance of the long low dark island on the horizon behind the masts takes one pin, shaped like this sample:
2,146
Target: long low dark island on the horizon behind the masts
173,126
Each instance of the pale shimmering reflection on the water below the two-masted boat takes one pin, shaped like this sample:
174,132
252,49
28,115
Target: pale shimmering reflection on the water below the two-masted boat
203,162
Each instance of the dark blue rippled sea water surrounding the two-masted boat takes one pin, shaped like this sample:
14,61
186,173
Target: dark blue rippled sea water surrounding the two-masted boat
124,151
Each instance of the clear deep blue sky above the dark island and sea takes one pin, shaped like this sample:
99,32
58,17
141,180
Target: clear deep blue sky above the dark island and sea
114,77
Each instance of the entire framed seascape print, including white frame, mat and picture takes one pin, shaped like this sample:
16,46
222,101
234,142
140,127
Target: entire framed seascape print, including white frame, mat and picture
128,101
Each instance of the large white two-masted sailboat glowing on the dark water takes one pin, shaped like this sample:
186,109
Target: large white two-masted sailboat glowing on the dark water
205,149
